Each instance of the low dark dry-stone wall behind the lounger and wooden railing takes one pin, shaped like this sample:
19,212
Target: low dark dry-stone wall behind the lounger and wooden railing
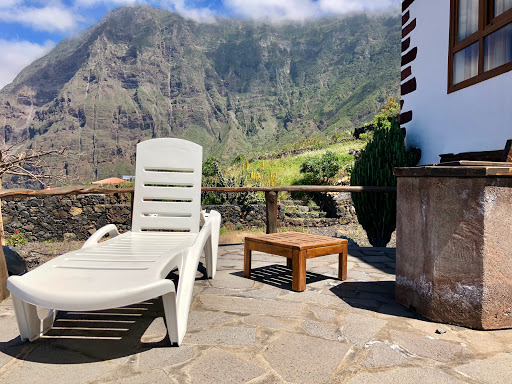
77,217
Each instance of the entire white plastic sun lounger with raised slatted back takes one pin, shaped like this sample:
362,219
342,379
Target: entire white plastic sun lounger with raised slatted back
132,267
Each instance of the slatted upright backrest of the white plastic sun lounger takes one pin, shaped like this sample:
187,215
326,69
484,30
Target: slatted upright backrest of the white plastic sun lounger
167,186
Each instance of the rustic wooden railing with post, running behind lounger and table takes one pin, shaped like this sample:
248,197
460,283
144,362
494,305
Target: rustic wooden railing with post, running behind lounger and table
271,194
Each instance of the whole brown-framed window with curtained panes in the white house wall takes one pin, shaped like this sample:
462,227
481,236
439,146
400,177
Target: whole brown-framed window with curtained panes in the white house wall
480,41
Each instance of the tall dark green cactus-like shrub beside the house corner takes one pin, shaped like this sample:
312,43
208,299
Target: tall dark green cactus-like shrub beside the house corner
376,212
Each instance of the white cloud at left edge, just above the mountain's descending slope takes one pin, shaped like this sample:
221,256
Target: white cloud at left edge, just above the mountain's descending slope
16,55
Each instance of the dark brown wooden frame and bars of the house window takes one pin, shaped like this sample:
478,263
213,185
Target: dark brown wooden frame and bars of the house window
486,26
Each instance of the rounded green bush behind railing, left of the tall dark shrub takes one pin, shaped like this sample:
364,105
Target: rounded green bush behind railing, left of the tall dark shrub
318,170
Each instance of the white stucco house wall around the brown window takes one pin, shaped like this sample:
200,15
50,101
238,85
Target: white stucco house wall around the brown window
476,118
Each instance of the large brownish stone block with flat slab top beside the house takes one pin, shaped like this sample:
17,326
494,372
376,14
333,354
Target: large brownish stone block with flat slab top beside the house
454,244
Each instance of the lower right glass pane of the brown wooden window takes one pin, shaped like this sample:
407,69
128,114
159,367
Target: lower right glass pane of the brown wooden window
498,48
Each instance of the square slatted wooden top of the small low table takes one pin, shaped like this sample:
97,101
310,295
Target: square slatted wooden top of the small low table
296,240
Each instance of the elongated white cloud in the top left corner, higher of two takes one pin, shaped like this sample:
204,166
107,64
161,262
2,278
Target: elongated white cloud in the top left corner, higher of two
50,18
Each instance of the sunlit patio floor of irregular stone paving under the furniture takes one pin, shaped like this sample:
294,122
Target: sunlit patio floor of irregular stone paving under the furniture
259,331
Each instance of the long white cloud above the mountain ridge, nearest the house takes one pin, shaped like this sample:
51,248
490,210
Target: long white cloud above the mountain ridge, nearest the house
302,9
